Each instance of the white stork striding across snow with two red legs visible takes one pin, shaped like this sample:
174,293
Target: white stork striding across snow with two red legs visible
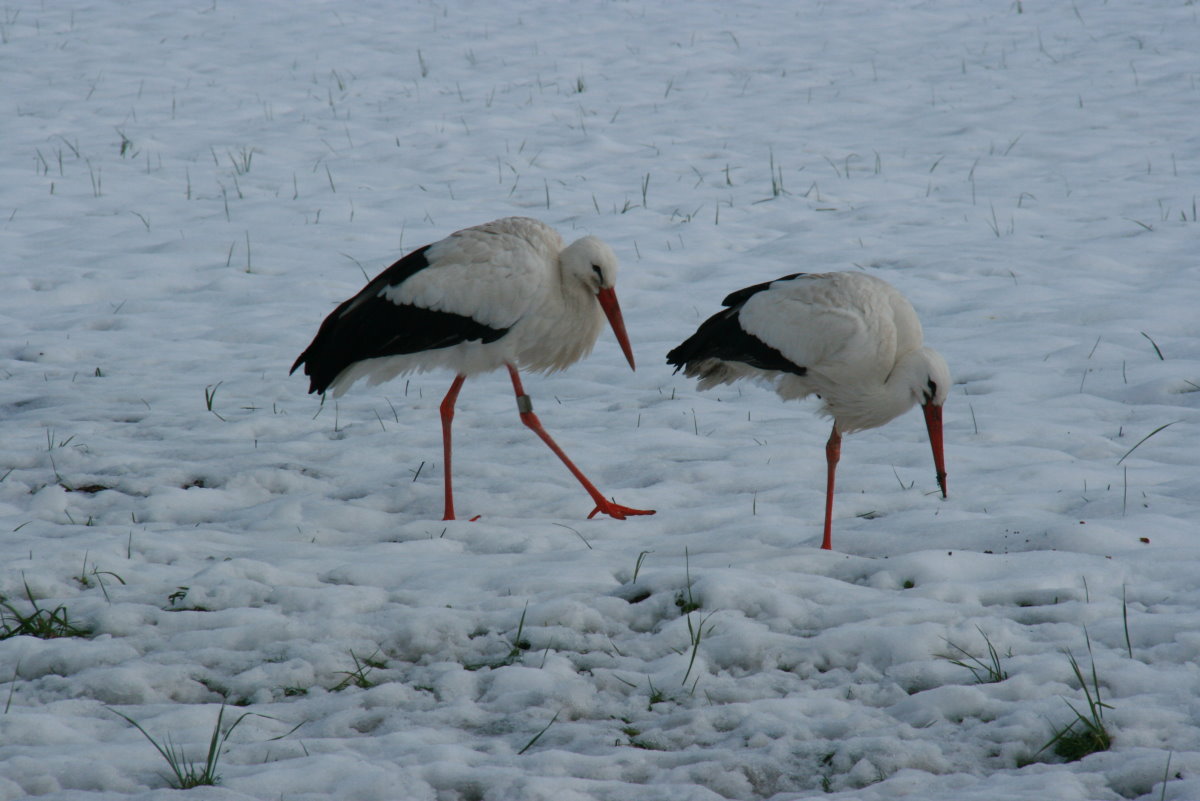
503,294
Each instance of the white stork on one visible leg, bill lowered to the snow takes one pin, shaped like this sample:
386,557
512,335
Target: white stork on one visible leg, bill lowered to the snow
848,338
